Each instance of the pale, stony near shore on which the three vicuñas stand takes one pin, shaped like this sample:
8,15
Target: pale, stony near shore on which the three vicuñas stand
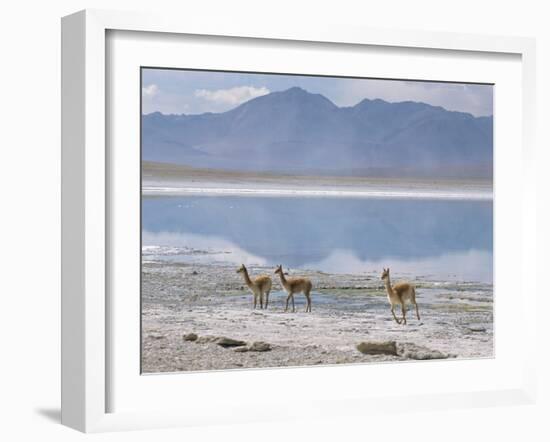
212,301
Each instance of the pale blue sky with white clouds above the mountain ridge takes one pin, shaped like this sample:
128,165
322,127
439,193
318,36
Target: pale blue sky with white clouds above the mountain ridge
195,92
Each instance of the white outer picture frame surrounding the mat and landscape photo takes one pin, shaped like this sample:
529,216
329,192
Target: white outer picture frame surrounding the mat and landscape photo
87,207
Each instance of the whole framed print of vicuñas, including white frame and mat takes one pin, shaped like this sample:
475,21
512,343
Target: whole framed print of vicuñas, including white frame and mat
291,208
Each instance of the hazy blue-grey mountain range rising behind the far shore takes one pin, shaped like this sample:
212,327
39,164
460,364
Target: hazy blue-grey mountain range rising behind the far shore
298,132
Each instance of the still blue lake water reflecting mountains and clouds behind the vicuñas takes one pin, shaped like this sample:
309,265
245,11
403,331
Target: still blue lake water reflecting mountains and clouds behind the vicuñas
435,238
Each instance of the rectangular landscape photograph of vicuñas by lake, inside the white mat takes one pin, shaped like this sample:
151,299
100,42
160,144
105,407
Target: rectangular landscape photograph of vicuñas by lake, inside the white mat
300,219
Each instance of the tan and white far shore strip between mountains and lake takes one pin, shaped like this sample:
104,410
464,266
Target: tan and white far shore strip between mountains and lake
159,179
